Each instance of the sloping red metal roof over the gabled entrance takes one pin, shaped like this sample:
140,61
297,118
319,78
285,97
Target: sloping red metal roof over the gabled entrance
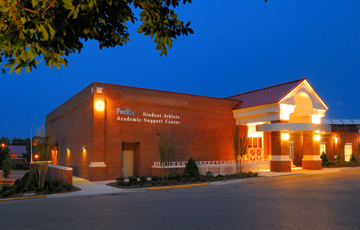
268,95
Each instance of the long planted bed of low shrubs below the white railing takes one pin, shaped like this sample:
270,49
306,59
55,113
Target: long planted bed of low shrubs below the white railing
172,179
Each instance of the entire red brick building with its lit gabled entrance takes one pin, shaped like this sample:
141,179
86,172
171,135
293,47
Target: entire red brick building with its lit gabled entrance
106,131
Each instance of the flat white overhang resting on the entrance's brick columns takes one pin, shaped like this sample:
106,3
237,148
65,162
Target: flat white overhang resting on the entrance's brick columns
321,128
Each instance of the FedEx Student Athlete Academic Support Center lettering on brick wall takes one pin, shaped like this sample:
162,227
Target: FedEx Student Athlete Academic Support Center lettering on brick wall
129,115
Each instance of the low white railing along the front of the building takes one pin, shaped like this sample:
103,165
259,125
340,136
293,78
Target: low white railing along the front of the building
220,167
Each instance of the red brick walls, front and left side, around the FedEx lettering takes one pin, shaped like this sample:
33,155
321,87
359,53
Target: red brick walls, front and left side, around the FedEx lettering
204,131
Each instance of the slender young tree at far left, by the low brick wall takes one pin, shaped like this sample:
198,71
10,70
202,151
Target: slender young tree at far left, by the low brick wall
44,146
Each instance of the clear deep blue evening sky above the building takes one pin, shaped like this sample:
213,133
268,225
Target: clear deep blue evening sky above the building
238,46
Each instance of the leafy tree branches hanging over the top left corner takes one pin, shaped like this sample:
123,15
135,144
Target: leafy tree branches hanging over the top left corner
36,30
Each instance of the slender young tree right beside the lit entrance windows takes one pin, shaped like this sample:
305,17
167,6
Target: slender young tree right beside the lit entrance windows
240,145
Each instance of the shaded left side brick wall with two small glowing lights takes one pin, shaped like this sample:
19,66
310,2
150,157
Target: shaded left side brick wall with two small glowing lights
73,125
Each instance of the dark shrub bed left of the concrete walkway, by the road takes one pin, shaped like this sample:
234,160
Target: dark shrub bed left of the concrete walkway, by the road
27,187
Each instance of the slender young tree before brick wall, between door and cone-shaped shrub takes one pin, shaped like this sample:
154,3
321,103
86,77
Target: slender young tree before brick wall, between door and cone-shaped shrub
167,150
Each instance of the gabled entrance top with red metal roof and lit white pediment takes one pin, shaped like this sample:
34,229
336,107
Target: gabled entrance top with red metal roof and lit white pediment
291,102
